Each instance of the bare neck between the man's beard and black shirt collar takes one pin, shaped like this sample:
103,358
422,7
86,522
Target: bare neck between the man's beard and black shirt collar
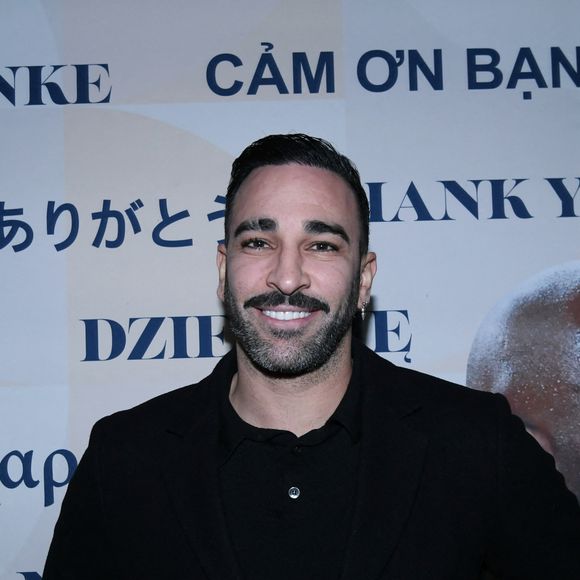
296,404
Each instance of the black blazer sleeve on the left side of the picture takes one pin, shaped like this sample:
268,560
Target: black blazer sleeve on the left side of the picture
79,547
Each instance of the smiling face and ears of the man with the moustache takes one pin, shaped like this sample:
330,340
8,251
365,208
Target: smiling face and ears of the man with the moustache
291,277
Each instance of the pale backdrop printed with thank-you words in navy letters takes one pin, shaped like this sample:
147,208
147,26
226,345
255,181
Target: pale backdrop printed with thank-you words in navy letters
119,120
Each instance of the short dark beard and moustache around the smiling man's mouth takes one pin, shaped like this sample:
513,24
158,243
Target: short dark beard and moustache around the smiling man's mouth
299,354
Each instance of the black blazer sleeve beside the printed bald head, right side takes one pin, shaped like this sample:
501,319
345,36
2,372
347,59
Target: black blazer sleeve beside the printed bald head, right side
537,536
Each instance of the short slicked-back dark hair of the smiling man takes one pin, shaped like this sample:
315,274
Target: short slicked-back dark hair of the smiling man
302,150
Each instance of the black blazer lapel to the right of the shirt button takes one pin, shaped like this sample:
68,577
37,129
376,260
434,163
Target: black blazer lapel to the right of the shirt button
390,470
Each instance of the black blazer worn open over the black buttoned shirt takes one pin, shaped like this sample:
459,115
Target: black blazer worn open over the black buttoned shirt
449,482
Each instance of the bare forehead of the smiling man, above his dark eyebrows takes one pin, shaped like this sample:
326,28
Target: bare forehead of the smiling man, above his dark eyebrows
296,193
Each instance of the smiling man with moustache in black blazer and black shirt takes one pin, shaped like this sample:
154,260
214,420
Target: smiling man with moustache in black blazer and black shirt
304,455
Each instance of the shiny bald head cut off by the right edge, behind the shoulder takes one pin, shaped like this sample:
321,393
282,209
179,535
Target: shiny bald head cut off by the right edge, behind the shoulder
528,349
